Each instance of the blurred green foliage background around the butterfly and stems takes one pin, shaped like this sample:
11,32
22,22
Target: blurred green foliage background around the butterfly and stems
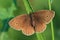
12,8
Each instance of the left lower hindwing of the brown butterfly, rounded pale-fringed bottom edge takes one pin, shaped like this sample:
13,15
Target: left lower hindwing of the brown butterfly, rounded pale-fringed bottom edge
27,27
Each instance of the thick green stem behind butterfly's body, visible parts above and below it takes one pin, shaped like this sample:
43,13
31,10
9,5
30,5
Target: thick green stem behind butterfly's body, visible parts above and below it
29,10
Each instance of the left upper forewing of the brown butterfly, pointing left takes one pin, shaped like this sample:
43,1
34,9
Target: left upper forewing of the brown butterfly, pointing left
17,22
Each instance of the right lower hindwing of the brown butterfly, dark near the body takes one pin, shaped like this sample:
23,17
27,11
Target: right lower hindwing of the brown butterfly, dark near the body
39,25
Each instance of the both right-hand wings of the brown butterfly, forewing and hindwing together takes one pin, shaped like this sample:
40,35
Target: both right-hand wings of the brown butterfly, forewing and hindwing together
42,18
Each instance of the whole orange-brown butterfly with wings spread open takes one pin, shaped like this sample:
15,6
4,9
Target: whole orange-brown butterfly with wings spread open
33,22
